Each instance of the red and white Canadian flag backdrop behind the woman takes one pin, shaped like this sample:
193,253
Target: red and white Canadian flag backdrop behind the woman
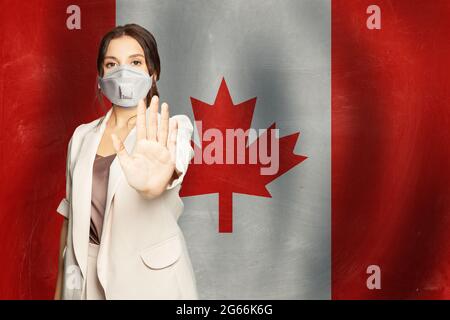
364,124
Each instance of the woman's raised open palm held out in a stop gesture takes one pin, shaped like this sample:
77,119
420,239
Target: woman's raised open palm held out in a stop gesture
152,163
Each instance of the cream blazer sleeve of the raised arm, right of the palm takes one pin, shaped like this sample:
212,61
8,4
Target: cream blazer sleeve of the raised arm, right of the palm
184,152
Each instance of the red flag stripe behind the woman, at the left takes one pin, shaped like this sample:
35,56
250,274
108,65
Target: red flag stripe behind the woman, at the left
47,88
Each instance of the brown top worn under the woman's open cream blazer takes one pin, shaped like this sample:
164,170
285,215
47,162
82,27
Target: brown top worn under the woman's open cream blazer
100,177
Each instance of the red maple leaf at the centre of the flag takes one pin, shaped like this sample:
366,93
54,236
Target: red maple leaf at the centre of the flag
227,178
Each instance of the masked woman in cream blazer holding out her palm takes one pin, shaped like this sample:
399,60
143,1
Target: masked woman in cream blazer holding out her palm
120,238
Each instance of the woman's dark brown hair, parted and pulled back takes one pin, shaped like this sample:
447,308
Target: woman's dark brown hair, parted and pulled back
148,44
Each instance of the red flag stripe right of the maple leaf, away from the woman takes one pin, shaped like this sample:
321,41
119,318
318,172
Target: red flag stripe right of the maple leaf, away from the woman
390,149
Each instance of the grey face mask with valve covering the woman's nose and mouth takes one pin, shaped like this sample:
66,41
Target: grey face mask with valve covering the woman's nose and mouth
125,86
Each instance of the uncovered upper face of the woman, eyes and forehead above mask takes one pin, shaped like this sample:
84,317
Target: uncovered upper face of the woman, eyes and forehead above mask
124,50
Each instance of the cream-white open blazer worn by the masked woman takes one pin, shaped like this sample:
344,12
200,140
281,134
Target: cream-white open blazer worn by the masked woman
143,254
